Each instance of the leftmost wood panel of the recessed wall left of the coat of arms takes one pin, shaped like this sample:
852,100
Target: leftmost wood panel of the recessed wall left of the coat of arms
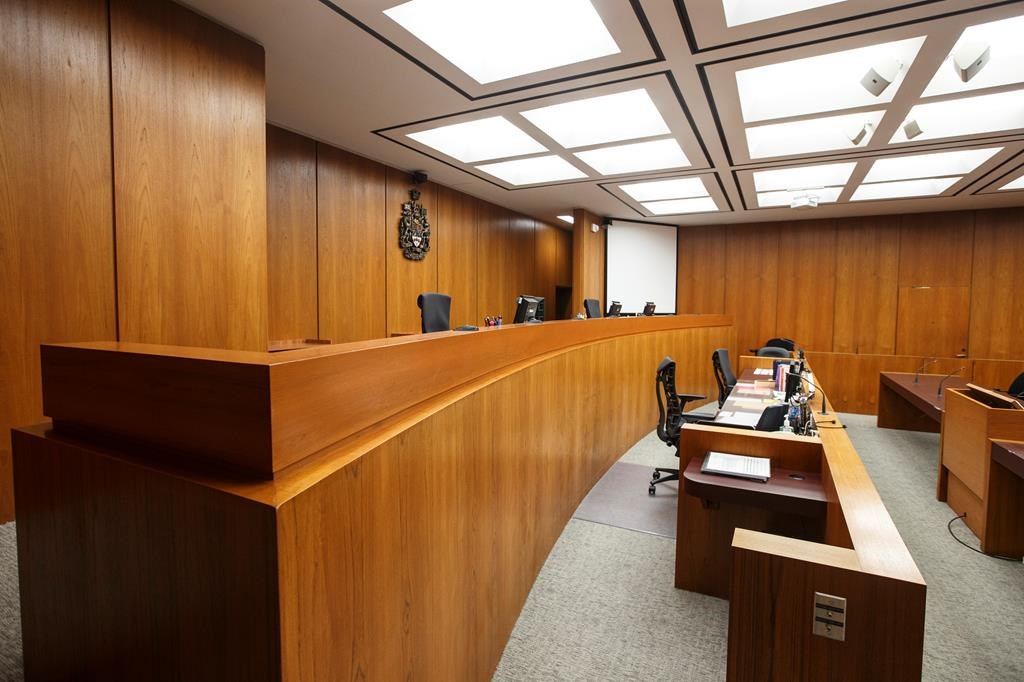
291,235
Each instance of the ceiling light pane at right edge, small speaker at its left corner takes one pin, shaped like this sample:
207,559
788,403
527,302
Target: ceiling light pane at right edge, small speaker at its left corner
967,116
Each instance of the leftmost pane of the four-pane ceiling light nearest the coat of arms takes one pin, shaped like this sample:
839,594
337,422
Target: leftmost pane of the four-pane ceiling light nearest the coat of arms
479,141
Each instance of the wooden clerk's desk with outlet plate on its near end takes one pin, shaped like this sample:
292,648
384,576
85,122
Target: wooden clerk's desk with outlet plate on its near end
772,580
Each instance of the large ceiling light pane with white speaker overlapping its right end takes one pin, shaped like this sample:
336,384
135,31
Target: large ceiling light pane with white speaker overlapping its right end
823,83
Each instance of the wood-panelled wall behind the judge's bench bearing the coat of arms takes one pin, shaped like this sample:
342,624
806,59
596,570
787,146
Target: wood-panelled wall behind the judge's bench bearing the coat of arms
483,255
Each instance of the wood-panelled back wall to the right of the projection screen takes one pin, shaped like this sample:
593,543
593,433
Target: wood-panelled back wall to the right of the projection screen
879,293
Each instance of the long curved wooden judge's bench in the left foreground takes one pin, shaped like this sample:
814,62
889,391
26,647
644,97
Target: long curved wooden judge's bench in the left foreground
376,510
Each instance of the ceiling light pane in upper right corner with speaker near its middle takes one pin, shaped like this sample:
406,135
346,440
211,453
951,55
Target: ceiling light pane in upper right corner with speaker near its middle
1005,68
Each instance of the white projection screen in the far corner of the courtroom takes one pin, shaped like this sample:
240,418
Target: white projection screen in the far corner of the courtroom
642,267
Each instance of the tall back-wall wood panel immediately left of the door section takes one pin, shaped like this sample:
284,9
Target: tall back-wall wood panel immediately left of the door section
867,293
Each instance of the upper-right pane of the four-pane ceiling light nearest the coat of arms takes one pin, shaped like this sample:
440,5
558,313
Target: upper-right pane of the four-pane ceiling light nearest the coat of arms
605,119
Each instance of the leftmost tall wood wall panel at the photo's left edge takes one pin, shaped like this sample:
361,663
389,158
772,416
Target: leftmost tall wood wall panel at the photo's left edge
57,234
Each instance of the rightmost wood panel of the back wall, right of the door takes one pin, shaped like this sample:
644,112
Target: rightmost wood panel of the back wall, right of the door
997,308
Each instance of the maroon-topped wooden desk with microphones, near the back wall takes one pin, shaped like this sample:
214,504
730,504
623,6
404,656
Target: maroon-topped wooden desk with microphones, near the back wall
912,406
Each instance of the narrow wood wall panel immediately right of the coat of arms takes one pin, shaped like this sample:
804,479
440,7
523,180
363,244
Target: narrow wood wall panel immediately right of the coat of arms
457,253
